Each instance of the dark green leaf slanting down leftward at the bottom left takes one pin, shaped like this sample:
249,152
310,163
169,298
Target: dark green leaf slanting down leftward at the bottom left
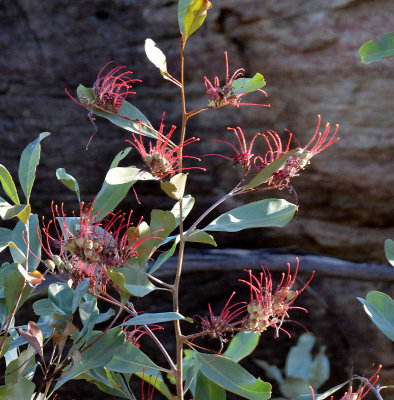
99,354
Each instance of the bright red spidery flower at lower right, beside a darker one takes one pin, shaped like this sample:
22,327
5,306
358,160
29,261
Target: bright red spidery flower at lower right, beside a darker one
269,307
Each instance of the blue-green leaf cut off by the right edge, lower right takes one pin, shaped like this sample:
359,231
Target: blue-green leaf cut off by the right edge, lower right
380,308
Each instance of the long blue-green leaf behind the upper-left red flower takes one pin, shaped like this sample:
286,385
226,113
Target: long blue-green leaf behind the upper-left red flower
127,117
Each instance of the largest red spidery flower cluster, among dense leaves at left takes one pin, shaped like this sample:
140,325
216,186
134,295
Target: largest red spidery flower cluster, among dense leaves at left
88,247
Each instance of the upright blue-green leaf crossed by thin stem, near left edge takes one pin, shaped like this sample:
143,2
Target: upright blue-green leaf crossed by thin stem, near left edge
19,239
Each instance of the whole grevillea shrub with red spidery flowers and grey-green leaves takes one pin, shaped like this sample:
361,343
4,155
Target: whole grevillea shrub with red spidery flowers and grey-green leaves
100,259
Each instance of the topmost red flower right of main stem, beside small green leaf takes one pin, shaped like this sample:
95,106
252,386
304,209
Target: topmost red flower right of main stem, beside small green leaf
219,96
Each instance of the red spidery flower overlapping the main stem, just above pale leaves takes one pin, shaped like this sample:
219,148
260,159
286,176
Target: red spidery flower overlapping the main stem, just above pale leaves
163,159
